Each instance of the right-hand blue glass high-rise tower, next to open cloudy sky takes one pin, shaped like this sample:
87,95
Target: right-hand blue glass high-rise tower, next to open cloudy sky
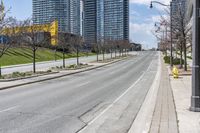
106,19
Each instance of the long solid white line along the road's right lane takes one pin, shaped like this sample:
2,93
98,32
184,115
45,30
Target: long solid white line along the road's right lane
111,105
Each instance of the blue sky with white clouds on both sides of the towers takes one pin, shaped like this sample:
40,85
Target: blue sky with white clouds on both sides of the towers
142,18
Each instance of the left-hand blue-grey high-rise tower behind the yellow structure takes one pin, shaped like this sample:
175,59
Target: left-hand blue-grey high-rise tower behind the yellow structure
67,12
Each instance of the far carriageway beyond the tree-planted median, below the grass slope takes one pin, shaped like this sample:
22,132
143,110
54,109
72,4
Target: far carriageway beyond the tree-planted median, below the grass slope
43,66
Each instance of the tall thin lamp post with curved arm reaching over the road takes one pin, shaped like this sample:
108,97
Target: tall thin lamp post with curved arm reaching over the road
171,46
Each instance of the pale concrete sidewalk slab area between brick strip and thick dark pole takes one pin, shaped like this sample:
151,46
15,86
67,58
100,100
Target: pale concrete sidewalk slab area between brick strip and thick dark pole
189,122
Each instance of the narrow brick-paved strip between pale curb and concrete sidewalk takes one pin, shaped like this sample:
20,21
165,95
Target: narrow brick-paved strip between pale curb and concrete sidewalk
164,118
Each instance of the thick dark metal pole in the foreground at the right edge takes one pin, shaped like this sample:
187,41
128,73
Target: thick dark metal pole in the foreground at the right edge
195,99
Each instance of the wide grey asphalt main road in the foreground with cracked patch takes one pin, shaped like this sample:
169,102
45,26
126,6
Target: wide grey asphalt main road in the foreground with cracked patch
104,100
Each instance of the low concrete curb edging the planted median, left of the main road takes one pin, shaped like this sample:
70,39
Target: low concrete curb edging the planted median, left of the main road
60,76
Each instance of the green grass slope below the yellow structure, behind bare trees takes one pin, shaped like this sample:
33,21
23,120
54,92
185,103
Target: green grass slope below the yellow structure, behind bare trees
15,56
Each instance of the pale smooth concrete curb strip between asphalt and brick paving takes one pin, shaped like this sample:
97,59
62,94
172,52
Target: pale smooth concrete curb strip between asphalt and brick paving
143,119
